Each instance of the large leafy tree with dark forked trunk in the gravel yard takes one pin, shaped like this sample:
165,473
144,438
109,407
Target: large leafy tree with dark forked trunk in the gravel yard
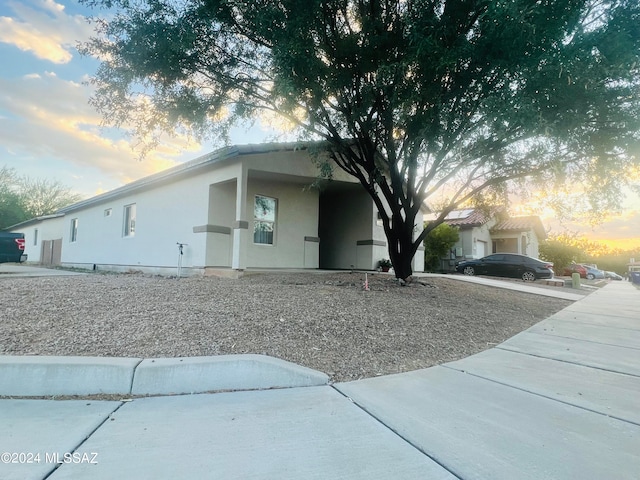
417,99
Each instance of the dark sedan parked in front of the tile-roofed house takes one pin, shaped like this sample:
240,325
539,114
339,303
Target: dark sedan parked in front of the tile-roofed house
507,265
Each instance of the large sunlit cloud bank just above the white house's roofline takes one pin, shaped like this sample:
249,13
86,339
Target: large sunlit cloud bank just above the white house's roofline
47,117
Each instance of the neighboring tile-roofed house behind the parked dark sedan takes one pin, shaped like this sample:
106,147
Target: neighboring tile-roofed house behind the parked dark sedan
483,233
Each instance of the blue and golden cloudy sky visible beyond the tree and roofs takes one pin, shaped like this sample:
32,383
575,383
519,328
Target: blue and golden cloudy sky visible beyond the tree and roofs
49,130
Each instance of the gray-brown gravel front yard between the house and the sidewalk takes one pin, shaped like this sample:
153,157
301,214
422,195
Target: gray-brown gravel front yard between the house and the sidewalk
323,321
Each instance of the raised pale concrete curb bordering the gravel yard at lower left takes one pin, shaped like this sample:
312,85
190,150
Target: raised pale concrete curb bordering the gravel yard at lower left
44,376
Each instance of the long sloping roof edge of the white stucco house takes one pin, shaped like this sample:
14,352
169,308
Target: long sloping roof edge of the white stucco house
186,168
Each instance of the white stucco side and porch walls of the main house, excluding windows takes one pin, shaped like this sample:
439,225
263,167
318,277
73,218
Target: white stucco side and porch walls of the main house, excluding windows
170,212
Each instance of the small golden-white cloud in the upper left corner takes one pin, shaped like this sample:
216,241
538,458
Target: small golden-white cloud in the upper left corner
43,28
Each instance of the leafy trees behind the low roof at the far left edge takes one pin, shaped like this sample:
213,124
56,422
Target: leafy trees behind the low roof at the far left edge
22,197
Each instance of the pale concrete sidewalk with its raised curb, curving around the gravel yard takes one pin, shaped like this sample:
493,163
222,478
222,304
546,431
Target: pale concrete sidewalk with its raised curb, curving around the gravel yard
558,401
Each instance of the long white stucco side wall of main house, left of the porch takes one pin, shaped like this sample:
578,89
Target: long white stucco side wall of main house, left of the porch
164,217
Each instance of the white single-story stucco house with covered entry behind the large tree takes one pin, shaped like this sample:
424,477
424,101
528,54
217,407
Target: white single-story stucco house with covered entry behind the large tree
239,207
